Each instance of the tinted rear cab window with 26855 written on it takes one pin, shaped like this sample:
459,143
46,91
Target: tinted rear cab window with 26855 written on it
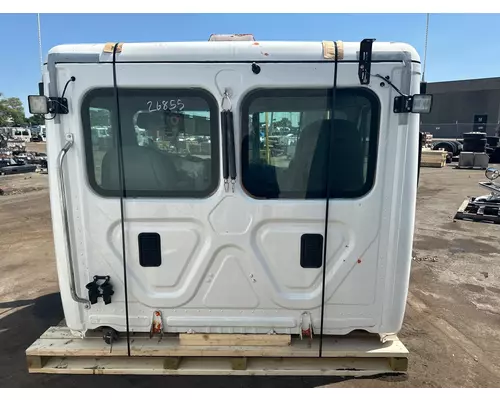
169,140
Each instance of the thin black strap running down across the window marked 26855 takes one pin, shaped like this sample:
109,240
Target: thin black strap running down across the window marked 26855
121,173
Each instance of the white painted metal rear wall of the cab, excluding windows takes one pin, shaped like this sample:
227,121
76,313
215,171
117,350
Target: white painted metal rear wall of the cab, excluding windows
229,261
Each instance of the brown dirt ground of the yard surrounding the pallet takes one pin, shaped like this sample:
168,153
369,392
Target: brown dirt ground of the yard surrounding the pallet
452,322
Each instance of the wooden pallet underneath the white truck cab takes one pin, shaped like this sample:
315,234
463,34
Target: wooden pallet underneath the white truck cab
58,352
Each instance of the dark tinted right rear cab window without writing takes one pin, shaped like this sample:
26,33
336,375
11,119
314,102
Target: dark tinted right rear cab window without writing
286,134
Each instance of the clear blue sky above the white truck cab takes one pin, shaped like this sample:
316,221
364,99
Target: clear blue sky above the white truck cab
461,46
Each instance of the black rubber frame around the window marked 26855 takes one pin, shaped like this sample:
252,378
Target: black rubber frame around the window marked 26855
213,109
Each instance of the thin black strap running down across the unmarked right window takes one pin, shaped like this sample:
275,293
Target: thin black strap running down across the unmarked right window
328,193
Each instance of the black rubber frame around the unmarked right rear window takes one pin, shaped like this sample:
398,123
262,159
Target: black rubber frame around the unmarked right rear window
373,137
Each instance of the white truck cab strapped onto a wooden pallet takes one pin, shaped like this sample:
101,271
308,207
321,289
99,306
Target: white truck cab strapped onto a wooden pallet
232,239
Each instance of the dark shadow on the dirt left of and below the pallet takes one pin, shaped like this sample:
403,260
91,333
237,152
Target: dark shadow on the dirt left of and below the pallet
21,328
